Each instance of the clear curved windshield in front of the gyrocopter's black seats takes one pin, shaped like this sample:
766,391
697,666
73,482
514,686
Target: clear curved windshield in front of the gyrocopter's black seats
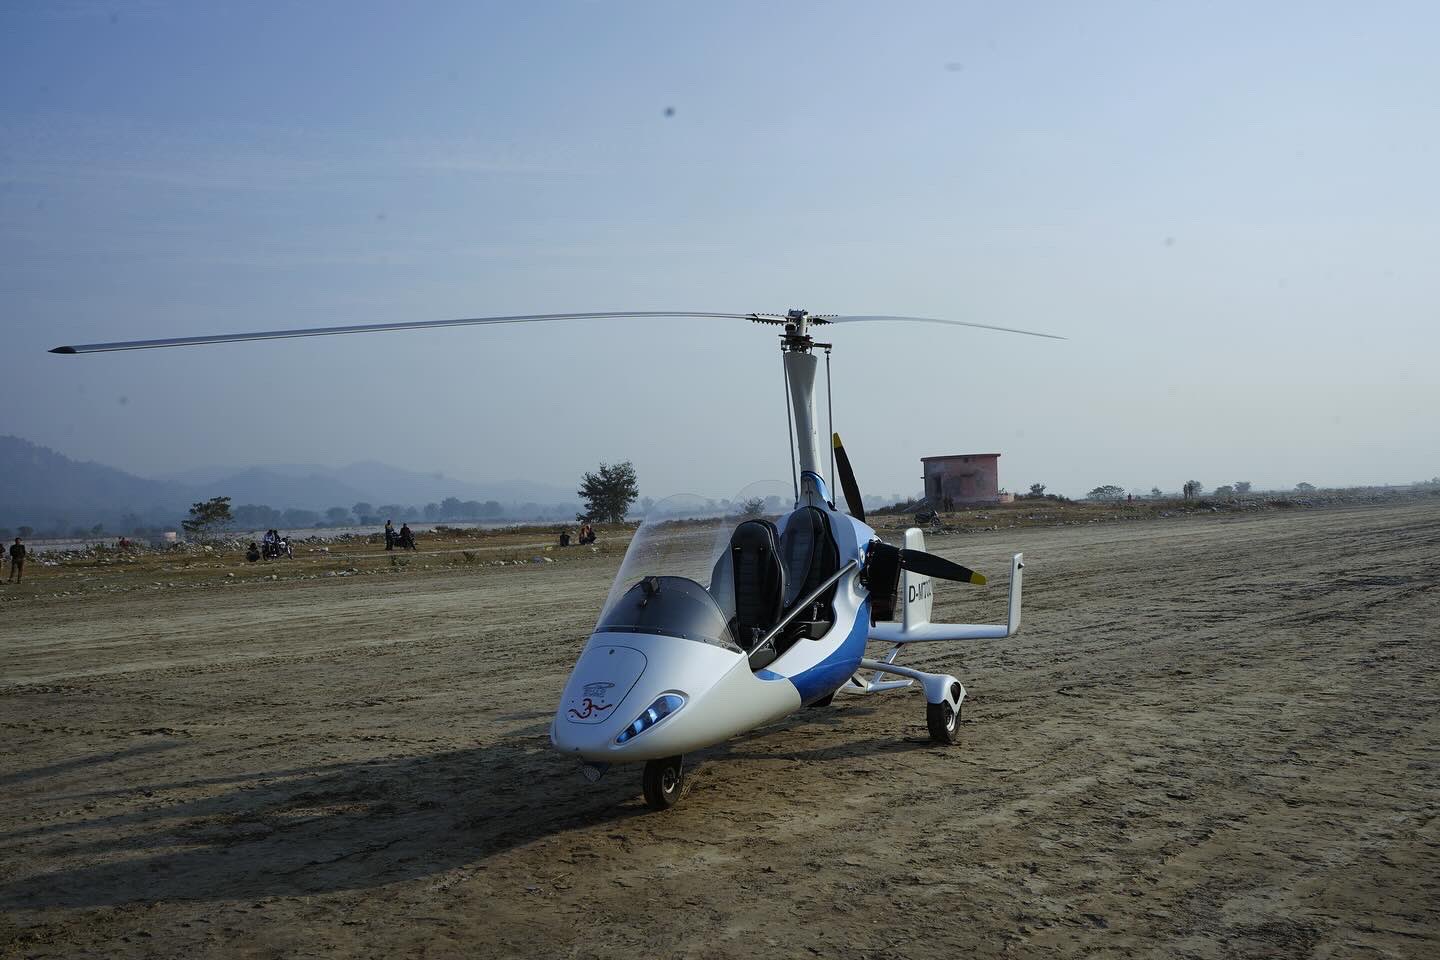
667,584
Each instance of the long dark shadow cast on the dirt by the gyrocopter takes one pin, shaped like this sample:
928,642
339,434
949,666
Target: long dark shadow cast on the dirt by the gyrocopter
352,827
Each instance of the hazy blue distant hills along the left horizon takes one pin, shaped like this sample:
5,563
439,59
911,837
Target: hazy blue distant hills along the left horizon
47,490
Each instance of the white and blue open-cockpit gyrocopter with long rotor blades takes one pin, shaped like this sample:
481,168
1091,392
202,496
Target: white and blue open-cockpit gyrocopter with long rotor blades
716,625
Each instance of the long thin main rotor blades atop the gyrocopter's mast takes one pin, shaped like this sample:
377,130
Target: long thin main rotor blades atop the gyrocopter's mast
521,319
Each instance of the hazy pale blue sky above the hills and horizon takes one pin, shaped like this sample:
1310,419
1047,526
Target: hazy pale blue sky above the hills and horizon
1229,209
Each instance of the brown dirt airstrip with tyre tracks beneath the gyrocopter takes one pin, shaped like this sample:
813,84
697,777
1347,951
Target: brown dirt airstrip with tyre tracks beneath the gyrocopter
1215,738
